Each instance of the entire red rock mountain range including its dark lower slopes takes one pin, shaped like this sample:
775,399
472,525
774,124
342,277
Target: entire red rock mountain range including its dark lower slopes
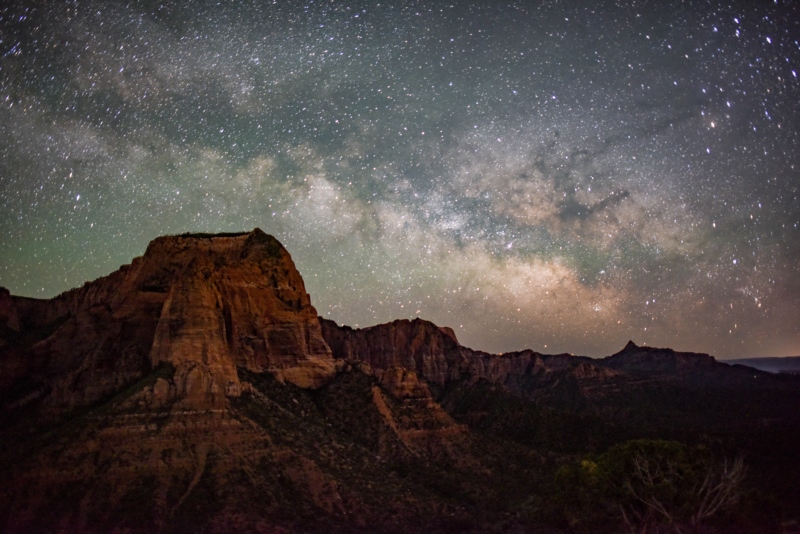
197,389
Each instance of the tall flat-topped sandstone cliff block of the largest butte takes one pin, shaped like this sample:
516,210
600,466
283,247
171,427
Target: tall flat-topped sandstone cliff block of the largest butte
238,301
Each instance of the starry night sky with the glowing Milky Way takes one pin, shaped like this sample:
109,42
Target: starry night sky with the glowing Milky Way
561,176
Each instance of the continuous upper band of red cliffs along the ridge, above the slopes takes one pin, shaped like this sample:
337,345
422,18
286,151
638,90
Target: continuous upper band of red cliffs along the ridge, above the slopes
209,304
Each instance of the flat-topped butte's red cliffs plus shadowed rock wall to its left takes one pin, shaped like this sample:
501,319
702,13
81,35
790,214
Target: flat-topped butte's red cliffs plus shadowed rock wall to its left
204,304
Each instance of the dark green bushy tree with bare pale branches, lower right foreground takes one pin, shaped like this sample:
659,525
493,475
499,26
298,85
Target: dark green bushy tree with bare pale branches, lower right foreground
654,485
